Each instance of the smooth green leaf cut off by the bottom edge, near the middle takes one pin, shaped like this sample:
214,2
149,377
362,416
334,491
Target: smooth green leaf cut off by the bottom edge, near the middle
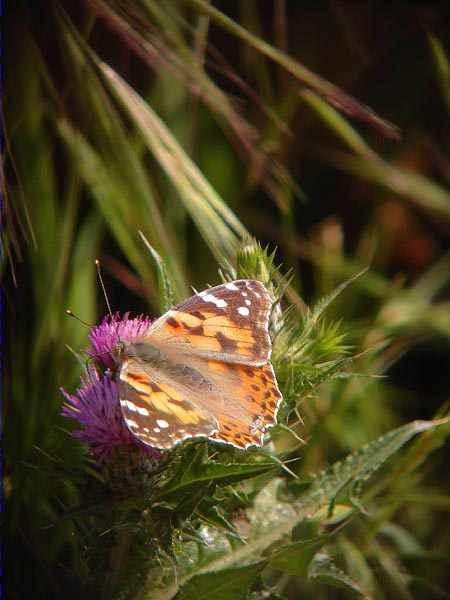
228,584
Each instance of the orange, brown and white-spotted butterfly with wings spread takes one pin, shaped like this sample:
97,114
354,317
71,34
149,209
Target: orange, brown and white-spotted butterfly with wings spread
203,370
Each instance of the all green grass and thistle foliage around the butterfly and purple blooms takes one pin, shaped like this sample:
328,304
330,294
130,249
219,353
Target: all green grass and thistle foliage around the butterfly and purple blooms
236,143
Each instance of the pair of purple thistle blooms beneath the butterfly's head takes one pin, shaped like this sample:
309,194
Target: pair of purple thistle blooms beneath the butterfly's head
95,405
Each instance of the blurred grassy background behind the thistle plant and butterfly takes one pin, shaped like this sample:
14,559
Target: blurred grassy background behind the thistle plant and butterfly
201,124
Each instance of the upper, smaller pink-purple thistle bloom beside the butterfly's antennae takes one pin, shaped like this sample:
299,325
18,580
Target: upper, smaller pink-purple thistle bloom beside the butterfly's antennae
112,330
